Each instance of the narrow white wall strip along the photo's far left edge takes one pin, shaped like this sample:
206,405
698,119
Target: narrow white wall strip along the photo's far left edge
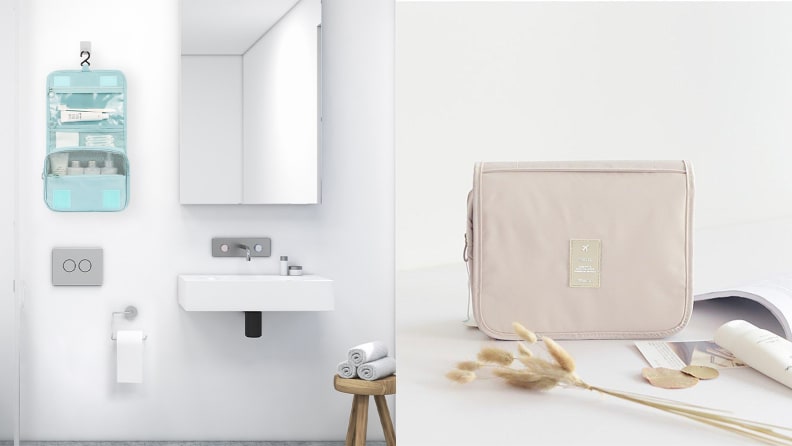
7,145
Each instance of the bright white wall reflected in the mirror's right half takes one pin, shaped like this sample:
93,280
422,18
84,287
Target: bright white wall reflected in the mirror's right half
281,110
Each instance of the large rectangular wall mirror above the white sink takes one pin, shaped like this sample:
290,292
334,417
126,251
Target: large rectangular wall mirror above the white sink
250,102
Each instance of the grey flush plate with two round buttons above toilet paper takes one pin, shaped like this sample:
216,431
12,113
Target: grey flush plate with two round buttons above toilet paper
77,266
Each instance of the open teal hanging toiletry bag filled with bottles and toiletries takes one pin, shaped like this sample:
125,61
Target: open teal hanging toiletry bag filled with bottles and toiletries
86,168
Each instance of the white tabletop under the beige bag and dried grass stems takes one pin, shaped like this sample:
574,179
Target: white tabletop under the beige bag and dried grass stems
432,411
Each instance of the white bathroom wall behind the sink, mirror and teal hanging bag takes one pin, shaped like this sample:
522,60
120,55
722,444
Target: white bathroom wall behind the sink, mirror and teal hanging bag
203,379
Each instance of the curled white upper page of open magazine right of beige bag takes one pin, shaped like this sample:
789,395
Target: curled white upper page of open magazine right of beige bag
774,294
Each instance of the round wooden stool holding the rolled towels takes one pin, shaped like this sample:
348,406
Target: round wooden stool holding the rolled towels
358,419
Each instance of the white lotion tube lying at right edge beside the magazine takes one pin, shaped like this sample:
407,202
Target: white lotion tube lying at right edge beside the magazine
760,349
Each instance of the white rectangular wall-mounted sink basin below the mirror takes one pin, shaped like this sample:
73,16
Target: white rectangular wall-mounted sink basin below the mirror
255,293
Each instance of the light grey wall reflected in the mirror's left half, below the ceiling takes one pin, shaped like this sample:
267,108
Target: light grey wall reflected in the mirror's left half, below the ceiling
210,160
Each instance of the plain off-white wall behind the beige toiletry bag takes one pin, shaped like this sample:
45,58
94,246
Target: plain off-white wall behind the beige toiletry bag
494,81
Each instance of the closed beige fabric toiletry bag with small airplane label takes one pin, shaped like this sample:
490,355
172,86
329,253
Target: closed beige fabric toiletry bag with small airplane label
581,249
